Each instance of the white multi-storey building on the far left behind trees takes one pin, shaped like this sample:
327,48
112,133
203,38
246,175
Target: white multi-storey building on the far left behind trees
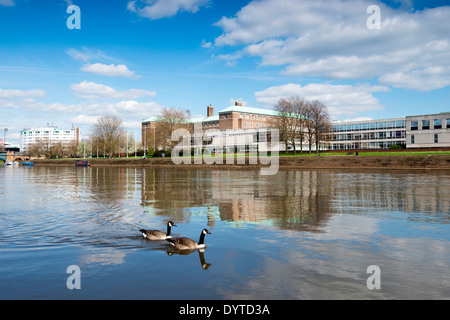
49,134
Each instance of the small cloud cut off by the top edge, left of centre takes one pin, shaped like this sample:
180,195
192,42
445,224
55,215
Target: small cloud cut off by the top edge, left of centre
158,9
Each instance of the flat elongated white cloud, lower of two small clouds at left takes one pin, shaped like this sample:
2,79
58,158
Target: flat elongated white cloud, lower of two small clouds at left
92,90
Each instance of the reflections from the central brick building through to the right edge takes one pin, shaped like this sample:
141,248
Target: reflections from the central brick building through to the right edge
293,199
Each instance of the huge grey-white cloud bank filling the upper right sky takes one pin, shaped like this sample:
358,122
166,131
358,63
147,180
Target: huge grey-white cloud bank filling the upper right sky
330,39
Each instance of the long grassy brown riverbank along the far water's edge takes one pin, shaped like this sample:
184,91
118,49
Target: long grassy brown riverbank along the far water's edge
322,162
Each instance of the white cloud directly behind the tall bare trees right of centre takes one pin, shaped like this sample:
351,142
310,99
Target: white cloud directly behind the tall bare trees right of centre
341,100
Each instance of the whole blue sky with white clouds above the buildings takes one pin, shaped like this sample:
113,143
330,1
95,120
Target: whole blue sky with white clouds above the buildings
132,58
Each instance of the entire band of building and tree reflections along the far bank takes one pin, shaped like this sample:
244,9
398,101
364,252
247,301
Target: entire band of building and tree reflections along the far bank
292,199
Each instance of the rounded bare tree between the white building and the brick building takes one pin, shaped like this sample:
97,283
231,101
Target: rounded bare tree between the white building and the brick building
108,134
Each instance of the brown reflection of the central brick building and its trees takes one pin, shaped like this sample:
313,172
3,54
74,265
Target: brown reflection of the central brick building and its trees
291,200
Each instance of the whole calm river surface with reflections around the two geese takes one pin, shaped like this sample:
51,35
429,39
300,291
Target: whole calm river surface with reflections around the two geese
296,235
